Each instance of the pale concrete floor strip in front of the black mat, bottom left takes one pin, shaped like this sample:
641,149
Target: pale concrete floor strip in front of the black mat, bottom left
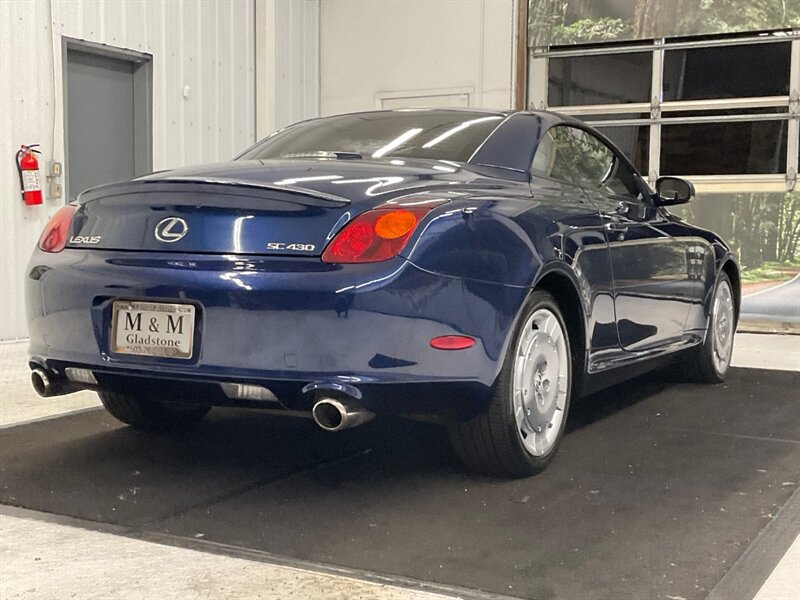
47,560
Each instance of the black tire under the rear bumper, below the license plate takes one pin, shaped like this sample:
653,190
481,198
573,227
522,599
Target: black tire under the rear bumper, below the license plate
147,414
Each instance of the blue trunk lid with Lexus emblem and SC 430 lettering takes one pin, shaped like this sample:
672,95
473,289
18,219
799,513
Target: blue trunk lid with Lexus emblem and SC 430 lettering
206,216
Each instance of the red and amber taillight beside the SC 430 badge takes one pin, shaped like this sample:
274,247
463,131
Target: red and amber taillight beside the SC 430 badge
378,234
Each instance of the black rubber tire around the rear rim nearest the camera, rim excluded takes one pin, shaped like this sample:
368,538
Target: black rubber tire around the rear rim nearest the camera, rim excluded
492,443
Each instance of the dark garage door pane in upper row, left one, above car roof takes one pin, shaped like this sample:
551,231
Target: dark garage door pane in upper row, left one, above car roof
610,79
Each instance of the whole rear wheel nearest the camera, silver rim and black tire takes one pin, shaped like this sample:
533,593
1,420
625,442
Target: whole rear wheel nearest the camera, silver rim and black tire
519,433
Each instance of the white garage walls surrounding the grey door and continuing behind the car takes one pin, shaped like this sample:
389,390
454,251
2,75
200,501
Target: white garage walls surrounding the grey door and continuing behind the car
370,53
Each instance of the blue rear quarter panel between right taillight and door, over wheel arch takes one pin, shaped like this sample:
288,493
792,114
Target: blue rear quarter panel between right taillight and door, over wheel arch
515,241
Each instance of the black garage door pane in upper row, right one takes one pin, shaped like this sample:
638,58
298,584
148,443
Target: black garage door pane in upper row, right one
744,71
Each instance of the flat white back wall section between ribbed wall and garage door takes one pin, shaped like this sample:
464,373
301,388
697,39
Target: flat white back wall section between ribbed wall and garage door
415,52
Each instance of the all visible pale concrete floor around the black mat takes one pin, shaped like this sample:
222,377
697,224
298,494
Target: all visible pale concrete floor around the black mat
40,559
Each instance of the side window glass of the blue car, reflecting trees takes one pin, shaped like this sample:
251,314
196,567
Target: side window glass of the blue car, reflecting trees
576,156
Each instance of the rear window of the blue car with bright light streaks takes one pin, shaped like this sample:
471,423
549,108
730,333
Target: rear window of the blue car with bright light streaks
435,134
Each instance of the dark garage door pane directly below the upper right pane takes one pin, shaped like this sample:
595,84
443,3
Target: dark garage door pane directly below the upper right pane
755,147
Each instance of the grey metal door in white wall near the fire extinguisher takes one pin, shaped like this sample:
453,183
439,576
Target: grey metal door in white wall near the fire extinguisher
107,125
